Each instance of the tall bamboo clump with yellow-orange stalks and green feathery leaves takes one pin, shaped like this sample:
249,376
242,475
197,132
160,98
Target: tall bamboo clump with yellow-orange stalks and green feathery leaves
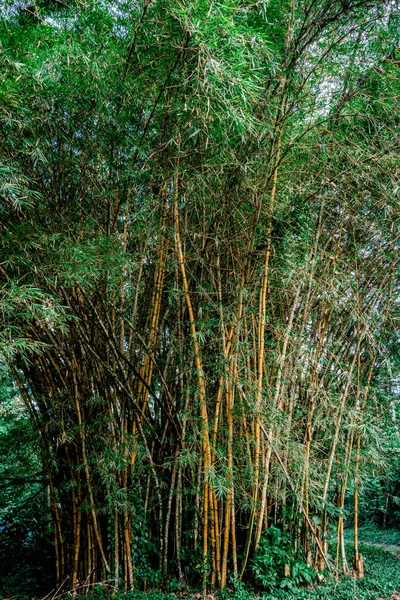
199,265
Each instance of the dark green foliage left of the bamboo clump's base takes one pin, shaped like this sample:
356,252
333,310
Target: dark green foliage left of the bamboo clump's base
26,552
